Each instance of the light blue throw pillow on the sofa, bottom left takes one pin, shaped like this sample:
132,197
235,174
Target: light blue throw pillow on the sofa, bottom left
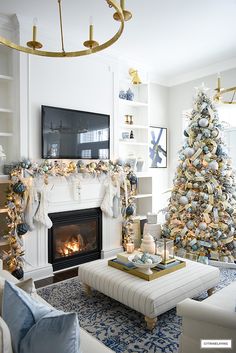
36,328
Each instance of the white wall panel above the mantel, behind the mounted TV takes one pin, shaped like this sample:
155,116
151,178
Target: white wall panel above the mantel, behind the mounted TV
78,83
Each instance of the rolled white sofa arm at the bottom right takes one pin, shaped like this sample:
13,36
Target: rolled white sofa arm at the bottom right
201,311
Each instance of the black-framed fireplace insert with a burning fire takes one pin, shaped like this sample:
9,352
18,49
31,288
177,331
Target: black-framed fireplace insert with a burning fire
75,237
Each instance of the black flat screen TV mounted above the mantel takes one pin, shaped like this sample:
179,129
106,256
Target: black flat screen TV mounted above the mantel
74,134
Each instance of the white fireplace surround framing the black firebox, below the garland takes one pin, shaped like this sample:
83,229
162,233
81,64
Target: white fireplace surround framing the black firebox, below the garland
69,195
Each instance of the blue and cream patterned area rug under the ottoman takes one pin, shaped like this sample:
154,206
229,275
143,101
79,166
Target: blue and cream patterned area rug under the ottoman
118,327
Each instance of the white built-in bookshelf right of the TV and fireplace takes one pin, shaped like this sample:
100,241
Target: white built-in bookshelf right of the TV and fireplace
138,146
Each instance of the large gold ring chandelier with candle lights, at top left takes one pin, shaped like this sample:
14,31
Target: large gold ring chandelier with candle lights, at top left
33,47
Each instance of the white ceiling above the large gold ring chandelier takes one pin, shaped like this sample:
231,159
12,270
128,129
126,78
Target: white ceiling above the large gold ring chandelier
172,38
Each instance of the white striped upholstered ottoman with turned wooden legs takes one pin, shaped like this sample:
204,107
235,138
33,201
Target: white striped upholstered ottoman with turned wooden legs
151,298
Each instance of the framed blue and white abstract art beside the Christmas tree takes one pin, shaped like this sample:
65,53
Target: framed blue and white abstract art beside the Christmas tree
157,145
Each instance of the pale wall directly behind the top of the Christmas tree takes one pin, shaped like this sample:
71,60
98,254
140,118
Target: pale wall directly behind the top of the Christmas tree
181,98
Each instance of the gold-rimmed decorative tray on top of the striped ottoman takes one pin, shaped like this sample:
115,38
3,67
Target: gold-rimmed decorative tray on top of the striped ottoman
157,272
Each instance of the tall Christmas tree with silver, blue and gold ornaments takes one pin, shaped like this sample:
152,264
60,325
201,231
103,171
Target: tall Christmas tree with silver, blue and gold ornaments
201,213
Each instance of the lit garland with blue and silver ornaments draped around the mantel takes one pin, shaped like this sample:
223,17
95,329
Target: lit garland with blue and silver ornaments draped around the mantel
18,194
